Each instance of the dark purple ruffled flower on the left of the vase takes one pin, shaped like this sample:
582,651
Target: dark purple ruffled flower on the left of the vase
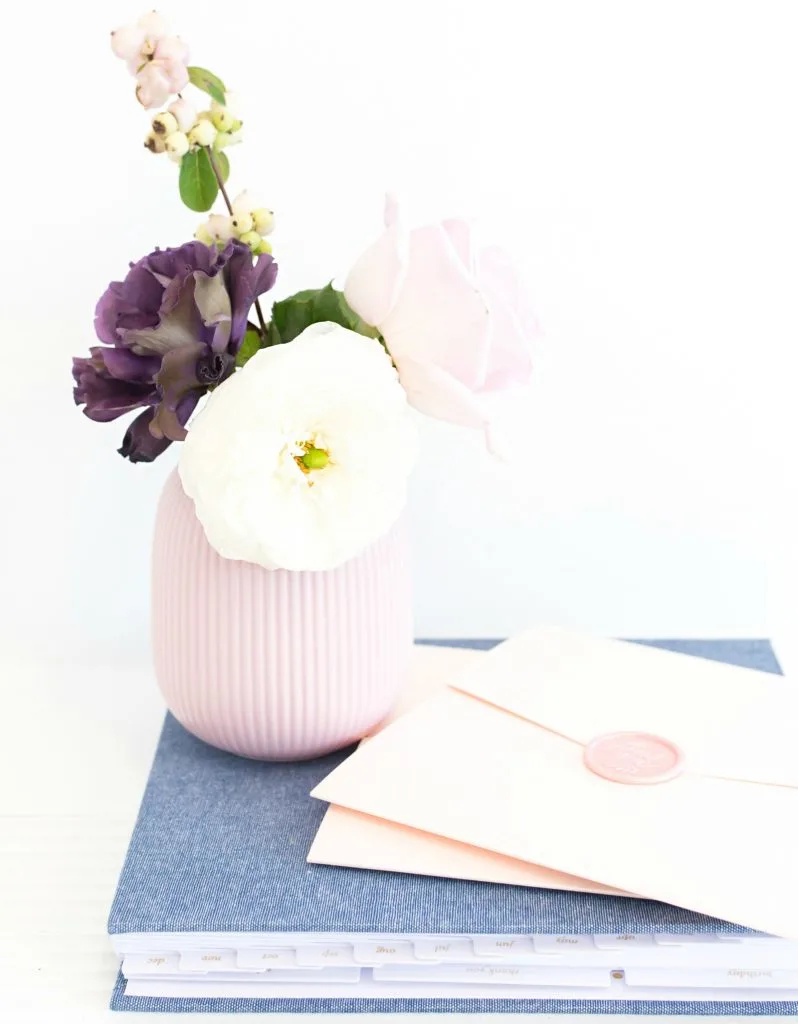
174,327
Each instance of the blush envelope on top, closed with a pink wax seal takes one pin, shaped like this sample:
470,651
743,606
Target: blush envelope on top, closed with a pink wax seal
498,762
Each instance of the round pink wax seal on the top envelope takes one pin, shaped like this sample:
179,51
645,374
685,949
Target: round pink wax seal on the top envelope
635,758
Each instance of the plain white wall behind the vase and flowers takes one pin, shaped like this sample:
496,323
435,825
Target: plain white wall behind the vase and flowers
642,162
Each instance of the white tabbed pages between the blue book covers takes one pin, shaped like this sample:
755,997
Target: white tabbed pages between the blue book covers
598,967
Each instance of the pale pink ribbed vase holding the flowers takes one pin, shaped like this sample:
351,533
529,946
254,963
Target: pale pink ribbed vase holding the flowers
275,665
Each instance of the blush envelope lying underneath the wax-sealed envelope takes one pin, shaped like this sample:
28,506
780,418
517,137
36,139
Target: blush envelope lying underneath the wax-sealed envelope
350,839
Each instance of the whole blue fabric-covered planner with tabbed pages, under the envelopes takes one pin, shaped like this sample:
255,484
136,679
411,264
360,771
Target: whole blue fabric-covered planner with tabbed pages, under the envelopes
217,879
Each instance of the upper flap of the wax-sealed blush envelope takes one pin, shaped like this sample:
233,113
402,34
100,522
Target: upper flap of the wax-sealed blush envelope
730,722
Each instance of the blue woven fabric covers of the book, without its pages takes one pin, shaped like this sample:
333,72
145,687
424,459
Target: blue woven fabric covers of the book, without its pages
221,846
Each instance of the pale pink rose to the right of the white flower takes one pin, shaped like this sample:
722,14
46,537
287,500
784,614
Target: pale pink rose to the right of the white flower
452,314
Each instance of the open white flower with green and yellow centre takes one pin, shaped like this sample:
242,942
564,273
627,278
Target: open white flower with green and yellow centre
301,460
